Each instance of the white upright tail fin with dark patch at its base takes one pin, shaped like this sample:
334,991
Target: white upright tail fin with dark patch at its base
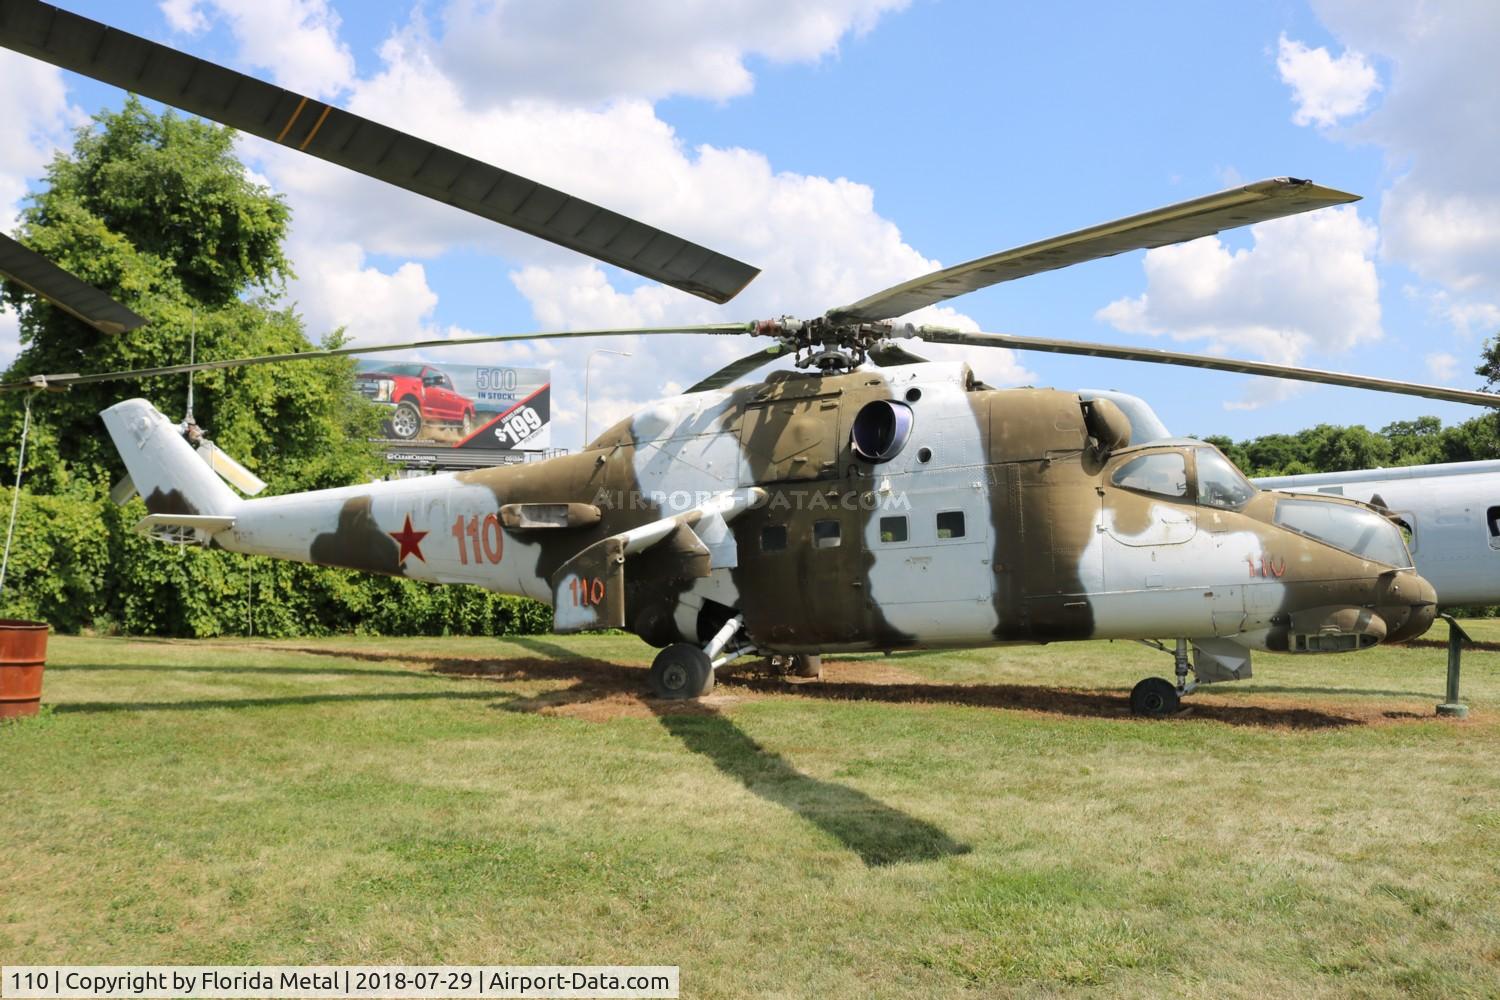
167,472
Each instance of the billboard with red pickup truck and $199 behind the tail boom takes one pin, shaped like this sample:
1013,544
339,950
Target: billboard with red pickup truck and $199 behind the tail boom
472,407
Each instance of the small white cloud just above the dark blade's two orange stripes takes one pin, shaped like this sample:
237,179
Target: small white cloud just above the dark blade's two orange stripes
298,41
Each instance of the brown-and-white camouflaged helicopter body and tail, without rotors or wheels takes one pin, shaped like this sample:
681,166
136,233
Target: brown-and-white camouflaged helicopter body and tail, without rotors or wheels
659,527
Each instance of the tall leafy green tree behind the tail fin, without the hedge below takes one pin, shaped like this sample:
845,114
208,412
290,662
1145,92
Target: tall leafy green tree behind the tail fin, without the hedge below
160,214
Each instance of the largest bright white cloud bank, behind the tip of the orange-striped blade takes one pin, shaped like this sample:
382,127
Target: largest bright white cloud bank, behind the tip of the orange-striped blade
820,241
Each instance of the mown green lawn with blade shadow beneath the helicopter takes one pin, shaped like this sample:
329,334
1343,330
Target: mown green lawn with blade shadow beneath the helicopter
940,824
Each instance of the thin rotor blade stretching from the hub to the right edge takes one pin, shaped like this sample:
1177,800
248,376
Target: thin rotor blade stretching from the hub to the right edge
940,335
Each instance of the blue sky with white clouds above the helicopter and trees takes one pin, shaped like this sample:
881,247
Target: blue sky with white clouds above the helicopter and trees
850,145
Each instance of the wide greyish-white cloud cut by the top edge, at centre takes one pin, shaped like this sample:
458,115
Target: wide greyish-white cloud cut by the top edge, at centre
586,52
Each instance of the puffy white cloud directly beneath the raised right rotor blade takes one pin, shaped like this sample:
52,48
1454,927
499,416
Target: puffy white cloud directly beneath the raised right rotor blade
1309,286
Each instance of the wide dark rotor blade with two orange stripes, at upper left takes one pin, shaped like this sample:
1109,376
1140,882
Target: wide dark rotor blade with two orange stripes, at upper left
289,119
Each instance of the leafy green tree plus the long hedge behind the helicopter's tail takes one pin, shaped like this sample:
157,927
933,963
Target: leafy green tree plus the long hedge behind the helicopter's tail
160,214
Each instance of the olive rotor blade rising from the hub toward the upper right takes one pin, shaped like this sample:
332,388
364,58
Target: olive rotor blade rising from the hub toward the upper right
1175,224
